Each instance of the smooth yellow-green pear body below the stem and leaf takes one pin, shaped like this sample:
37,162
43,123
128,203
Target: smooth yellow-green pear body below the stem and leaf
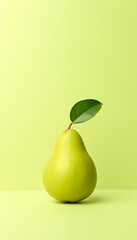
70,174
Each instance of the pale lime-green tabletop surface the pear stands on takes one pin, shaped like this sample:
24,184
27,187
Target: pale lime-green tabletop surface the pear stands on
33,215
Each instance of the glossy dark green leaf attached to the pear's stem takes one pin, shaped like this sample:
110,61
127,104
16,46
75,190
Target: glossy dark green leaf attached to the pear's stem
83,110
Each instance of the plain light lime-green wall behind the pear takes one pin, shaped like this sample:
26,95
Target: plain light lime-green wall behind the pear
53,54
